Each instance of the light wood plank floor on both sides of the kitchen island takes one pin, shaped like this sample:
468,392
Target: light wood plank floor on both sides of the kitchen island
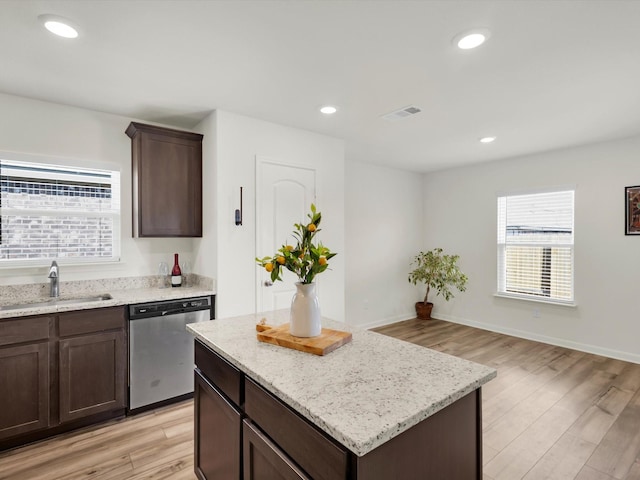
552,413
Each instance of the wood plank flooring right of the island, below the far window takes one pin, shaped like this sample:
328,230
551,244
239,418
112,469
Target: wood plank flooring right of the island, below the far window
552,413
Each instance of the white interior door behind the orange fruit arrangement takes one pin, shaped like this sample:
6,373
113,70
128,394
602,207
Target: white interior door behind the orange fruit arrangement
284,194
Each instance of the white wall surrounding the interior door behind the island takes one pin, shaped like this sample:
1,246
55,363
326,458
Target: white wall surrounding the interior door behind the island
238,140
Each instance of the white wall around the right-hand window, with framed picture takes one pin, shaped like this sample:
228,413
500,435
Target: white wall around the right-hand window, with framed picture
460,216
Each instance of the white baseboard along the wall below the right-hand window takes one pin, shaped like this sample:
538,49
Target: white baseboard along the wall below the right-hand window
560,342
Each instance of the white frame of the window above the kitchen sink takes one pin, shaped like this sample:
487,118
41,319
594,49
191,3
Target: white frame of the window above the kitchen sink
116,216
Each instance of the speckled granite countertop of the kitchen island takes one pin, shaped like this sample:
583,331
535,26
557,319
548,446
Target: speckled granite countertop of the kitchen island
362,394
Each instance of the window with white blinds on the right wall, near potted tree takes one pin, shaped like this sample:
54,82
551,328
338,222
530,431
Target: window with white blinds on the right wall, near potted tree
535,246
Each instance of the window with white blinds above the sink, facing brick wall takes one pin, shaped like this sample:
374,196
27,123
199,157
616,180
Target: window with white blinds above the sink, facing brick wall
58,212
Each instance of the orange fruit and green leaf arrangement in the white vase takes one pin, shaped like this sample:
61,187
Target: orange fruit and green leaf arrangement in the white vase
304,259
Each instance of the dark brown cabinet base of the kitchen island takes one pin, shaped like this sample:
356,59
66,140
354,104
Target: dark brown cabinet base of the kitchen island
244,432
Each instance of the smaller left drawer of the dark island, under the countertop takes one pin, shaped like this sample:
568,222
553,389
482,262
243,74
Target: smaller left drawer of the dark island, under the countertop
220,372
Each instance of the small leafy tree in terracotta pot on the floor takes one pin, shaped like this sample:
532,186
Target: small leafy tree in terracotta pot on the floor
440,272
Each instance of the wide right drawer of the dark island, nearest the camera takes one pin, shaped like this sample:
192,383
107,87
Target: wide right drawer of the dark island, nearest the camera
320,456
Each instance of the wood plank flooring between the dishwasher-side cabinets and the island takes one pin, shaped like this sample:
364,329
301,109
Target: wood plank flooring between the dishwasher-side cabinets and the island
154,445
